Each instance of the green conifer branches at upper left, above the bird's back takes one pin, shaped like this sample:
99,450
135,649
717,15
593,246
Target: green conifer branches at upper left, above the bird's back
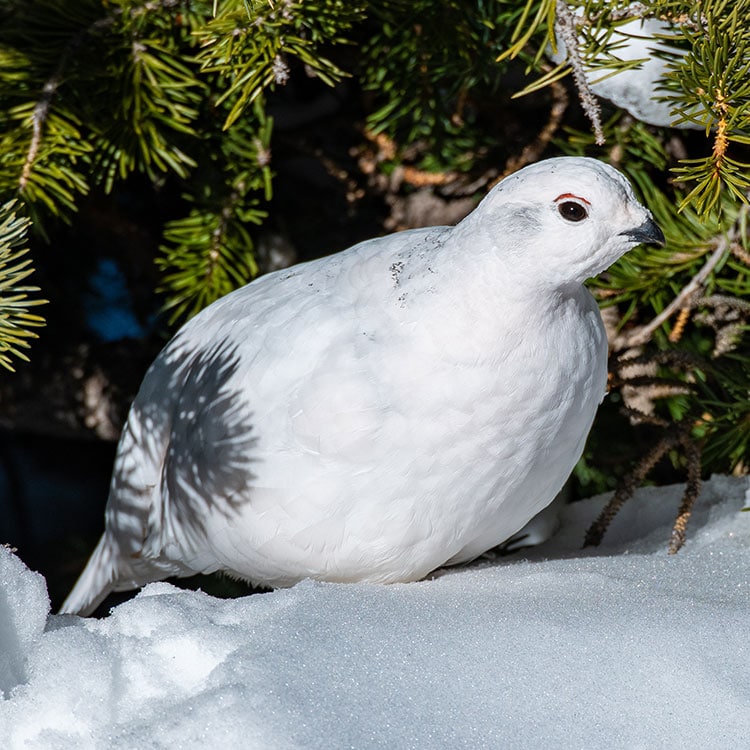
93,91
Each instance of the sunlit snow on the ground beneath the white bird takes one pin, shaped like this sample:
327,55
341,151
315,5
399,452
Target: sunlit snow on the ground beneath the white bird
622,646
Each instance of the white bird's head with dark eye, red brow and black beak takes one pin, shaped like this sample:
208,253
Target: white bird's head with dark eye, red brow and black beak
563,220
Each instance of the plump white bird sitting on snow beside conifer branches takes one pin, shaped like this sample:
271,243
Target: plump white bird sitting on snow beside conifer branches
403,405
